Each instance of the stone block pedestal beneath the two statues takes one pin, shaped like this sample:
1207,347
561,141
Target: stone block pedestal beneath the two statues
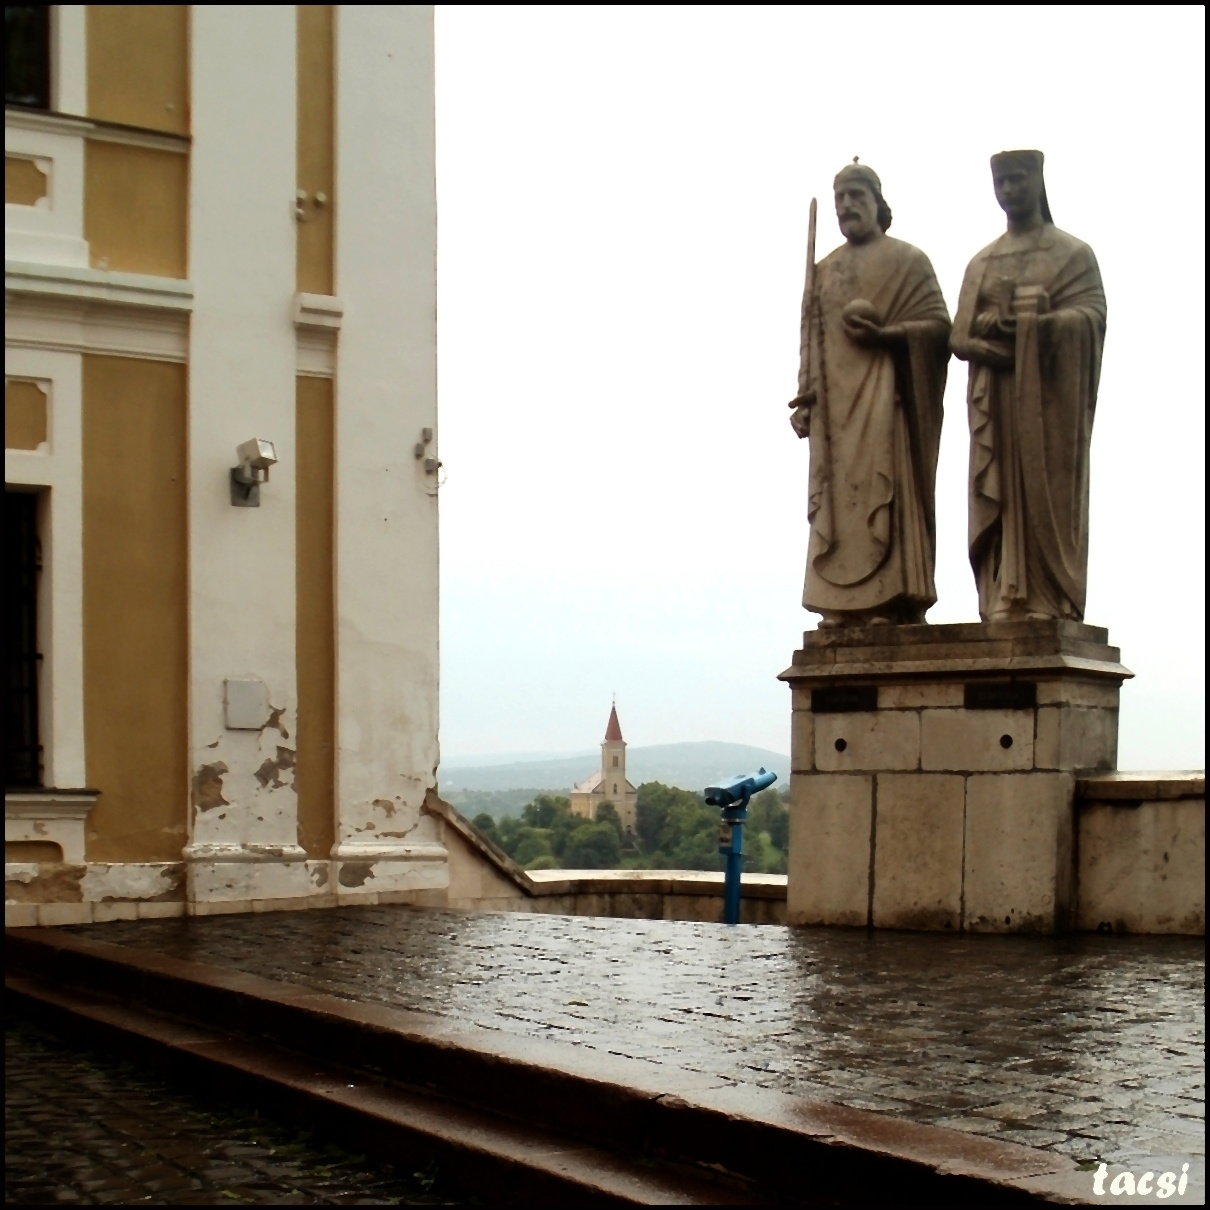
934,773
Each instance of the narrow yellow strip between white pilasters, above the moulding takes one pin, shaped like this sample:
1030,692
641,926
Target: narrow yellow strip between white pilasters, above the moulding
316,147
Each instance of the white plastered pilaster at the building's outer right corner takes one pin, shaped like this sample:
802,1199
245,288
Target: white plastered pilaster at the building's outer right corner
387,503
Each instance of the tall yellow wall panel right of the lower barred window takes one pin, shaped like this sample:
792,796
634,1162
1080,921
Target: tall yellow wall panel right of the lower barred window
136,662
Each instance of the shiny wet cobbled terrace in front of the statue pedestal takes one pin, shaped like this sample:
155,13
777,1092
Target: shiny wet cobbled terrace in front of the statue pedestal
1088,1046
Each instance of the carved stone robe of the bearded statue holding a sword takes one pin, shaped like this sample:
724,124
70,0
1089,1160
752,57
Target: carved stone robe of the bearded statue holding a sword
875,430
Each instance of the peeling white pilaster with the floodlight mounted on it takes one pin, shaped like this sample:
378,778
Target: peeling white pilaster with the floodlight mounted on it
244,820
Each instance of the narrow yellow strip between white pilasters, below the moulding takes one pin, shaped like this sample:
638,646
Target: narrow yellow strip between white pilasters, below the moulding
315,619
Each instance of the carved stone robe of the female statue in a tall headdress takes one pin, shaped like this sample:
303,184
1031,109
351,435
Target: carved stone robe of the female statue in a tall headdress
1032,427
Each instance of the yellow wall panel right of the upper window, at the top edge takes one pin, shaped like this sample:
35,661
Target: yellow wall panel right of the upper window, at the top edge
139,65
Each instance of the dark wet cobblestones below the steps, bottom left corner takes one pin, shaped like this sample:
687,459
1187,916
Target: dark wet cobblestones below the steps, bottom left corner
84,1131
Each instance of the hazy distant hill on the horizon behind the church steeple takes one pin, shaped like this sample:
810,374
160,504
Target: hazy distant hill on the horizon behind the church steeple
689,767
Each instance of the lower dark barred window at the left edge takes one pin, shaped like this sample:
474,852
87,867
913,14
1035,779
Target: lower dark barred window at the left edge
25,561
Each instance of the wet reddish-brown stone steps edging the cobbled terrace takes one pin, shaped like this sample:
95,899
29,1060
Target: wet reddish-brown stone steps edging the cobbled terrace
522,1120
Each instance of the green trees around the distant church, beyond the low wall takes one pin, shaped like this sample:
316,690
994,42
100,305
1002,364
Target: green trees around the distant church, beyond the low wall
676,831
